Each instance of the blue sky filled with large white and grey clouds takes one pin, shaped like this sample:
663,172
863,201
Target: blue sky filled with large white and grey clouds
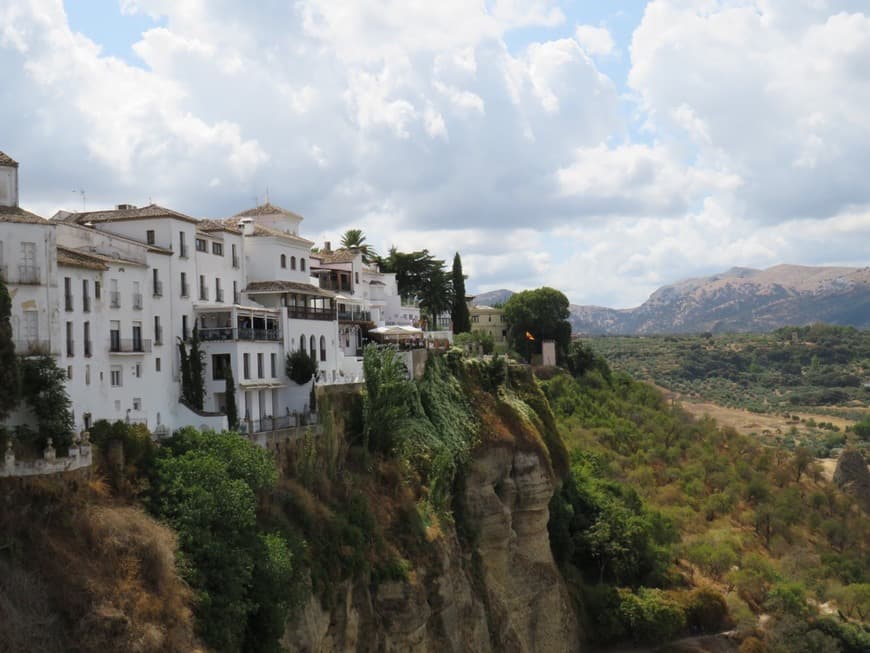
602,148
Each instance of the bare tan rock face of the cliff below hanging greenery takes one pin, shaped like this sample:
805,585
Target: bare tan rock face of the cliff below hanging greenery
502,593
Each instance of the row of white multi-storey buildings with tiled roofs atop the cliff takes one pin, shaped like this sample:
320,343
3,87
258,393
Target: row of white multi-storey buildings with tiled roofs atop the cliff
112,294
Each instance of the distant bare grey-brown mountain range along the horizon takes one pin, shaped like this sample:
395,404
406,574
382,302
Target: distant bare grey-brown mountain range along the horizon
741,299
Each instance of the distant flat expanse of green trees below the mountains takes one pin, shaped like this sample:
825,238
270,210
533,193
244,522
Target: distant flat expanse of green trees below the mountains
791,368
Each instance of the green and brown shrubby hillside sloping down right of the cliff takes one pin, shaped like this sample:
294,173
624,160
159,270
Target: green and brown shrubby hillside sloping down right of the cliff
657,503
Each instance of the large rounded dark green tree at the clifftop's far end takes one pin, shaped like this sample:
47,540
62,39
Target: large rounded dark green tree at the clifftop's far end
543,313
